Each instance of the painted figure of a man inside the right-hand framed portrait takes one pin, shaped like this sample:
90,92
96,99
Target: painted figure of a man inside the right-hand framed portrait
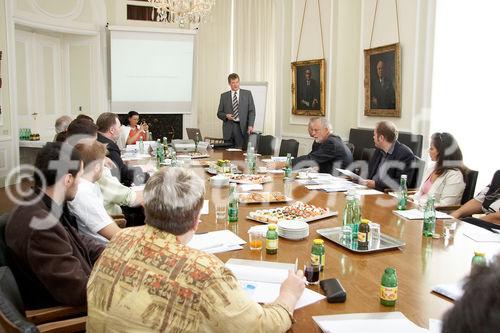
382,90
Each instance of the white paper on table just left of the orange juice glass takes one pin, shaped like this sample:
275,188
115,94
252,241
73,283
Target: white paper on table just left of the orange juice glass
216,242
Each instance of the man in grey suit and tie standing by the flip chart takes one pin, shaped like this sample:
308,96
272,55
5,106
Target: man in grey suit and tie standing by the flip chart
237,112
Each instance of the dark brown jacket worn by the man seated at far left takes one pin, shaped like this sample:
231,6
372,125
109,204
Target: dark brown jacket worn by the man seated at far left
51,265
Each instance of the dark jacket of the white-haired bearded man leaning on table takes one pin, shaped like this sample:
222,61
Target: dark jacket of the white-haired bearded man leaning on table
326,154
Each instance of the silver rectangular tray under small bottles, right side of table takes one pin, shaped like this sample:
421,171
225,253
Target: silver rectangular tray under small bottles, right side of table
385,242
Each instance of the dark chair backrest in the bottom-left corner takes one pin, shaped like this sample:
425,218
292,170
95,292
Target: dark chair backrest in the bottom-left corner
12,318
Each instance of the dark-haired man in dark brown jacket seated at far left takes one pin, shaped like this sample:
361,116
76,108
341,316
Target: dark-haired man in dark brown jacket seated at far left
49,257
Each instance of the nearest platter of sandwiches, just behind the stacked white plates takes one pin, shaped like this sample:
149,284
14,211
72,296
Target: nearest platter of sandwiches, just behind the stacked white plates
298,211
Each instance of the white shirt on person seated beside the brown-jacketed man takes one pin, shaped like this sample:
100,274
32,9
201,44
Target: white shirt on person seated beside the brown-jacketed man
88,207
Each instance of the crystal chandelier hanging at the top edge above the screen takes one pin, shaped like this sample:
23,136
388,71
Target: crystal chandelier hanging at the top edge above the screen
190,12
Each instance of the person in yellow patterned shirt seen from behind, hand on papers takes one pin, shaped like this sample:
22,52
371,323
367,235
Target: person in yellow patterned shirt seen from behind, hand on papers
148,279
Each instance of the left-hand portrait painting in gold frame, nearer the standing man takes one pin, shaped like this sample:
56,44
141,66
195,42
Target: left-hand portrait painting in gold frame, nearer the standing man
308,87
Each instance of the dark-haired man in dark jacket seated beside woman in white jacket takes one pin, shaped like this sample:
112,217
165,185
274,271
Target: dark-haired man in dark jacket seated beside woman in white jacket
390,160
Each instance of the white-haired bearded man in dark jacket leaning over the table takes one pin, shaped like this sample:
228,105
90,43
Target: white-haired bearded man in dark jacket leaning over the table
328,151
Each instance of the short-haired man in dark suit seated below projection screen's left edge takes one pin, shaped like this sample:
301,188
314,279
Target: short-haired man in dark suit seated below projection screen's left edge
108,132
